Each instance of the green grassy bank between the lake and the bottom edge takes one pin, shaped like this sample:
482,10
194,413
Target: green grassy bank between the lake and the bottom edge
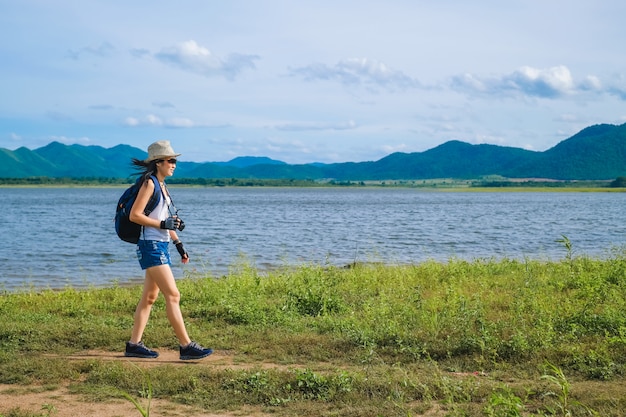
479,338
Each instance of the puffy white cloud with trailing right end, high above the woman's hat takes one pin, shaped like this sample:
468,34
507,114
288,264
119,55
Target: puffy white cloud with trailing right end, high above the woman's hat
190,56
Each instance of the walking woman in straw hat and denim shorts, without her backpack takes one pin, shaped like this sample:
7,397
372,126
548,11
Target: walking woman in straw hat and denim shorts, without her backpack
153,253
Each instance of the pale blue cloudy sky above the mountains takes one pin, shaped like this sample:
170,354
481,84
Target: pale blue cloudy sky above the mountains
308,81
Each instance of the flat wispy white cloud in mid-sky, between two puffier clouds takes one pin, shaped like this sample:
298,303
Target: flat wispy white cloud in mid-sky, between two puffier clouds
356,72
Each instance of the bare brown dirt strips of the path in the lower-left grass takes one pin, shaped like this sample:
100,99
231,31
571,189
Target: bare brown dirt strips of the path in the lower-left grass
60,403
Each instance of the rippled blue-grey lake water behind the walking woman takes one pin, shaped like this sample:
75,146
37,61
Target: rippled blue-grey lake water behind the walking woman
59,237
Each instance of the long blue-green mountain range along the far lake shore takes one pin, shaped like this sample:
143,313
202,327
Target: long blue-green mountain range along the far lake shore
597,152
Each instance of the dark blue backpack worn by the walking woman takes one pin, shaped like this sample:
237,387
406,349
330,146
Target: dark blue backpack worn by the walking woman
125,229
